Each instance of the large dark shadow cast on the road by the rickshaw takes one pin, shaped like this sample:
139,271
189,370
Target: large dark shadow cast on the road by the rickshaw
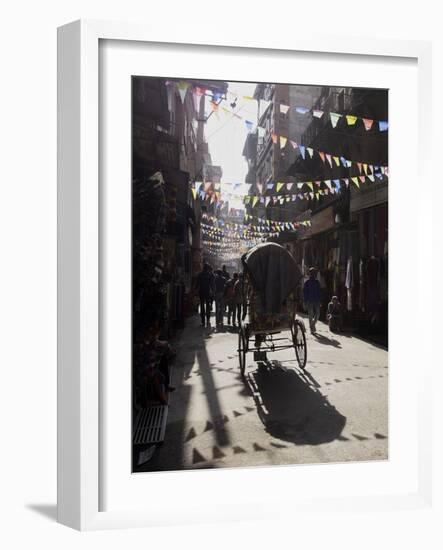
292,408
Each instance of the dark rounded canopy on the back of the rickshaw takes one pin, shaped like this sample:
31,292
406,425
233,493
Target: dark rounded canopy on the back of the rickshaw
273,273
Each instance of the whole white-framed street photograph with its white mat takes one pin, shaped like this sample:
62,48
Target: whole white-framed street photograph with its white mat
229,213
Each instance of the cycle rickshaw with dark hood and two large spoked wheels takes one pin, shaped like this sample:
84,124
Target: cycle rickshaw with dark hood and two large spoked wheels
269,319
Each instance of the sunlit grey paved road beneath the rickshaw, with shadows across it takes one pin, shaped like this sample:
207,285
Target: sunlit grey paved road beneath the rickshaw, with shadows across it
336,411
